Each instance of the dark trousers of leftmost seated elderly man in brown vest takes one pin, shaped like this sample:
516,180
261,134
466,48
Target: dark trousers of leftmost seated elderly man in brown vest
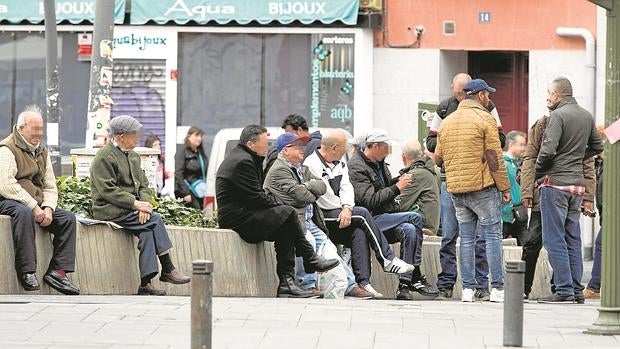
63,227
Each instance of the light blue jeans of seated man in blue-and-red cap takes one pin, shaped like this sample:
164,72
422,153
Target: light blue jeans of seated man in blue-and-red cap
318,239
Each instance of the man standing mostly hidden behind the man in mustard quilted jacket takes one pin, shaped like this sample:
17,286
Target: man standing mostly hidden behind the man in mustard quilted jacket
449,224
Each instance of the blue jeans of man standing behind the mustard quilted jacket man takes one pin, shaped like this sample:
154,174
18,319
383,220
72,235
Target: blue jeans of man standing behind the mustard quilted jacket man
447,251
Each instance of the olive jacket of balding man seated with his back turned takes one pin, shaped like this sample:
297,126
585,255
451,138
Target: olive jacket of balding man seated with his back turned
422,195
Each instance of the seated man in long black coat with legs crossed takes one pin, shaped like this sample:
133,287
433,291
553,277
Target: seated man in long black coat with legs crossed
256,216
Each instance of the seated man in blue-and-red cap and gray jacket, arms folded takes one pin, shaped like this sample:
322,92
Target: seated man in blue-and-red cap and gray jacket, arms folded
293,184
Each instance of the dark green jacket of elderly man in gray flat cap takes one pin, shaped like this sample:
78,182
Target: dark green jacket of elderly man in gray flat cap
117,180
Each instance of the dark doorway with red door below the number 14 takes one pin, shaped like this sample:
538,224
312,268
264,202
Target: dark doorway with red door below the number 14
508,72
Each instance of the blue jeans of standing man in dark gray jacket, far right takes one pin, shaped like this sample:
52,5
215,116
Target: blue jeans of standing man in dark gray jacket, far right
560,212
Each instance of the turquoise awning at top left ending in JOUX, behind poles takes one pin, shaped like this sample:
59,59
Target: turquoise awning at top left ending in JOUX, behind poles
74,11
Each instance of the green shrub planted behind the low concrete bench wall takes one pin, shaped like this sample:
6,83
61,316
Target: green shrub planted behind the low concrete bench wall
74,195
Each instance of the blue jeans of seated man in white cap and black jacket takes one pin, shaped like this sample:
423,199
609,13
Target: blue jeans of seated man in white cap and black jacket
406,228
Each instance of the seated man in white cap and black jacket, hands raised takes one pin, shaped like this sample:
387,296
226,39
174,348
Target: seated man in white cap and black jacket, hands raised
376,190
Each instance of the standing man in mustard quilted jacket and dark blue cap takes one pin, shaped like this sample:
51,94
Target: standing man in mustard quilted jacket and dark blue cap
469,148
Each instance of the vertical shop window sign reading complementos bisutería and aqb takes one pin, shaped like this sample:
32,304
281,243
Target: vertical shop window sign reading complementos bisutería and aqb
332,80
